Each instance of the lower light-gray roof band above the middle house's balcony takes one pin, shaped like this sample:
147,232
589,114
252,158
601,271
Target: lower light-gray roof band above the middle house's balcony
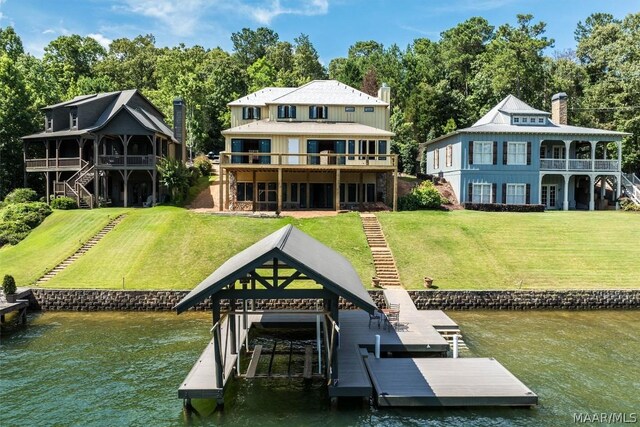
266,126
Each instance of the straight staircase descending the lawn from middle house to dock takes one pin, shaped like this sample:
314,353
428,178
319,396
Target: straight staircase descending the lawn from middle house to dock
383,260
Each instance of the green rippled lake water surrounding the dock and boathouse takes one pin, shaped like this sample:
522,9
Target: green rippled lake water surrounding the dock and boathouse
108,369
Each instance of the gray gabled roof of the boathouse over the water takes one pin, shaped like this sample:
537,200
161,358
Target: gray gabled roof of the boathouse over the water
296,249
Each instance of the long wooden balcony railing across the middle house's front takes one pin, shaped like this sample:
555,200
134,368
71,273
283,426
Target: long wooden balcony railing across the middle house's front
318,160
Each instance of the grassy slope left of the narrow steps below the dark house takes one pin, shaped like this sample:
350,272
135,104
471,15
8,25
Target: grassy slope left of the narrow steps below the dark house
55,239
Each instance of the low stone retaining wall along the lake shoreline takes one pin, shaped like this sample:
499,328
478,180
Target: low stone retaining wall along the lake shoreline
95,300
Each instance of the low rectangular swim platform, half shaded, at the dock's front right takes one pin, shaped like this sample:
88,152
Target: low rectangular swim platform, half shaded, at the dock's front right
446,382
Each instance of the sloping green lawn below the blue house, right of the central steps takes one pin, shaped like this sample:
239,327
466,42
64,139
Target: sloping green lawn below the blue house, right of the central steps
481,250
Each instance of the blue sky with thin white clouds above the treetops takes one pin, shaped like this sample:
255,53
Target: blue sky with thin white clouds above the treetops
332,25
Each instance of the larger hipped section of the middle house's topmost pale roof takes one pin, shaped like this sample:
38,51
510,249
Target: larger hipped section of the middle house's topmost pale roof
327,92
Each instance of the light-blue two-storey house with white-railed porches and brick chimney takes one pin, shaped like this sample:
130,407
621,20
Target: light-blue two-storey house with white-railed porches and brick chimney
517,154
